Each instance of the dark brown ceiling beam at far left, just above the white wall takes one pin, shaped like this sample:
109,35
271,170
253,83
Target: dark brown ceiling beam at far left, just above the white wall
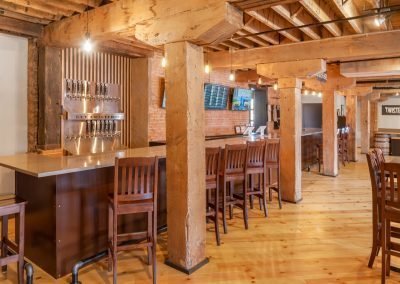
18,27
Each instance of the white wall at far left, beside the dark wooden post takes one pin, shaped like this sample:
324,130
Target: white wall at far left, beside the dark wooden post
13,103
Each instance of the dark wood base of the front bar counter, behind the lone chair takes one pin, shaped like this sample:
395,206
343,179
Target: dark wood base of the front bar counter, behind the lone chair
66,216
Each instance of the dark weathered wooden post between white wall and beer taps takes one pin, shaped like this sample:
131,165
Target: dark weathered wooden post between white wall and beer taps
49,80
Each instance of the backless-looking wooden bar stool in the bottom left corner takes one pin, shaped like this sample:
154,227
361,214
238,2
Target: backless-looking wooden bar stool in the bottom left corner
13,251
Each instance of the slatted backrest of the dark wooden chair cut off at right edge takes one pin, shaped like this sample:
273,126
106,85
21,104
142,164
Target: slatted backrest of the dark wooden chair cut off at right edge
390,179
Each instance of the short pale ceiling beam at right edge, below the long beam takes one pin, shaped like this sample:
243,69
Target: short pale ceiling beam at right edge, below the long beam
371,68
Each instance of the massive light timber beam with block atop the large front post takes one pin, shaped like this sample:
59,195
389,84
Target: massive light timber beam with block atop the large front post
154,22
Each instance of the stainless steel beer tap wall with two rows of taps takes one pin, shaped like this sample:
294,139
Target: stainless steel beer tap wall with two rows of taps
92,117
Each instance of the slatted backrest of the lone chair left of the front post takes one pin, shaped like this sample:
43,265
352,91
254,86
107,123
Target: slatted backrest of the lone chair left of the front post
135,179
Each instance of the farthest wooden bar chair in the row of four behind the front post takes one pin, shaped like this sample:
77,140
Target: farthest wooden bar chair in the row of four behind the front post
272,163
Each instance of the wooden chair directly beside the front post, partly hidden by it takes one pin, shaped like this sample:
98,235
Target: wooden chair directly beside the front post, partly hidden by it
213,158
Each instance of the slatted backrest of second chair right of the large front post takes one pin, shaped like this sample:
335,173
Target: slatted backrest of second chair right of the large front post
235,159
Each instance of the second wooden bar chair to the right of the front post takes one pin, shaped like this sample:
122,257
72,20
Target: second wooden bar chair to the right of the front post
233,171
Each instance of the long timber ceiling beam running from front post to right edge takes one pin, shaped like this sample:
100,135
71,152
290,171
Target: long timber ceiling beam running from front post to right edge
346,48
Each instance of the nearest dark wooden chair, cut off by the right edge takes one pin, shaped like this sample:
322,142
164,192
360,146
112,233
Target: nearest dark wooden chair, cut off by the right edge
390,208
